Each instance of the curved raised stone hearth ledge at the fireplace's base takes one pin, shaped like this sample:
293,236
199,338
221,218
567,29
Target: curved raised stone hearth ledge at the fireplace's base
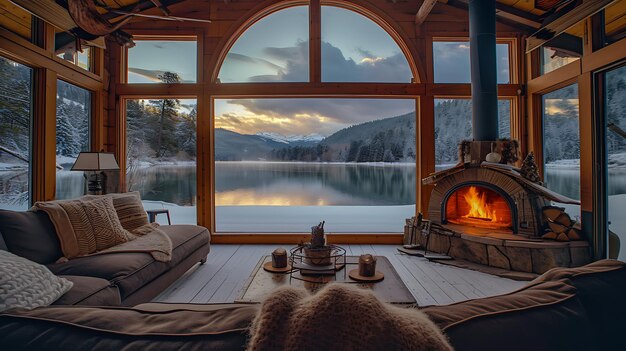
505,250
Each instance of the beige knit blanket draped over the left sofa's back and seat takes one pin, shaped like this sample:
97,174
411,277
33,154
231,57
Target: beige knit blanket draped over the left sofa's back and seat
91,227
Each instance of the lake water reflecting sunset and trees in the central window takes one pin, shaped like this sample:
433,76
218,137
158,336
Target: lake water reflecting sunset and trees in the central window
313,184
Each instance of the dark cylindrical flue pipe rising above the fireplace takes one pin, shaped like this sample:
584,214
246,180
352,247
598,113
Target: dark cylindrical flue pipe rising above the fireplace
482,15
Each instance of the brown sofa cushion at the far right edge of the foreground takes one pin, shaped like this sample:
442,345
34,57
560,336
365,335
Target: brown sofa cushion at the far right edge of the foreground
600,286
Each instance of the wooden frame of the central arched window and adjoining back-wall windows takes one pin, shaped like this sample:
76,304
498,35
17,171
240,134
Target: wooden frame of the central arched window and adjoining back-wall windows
208,88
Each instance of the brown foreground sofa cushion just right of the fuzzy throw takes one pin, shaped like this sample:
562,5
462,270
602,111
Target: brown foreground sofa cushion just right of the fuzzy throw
544,316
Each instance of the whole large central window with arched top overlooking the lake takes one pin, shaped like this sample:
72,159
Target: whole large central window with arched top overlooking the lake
284,163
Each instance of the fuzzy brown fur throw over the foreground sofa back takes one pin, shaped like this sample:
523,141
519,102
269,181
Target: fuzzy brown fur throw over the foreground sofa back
340,317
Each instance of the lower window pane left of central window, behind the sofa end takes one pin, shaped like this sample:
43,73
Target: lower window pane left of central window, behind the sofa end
161,155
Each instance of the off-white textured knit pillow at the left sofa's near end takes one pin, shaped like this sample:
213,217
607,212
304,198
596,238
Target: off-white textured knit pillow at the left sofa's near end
26,284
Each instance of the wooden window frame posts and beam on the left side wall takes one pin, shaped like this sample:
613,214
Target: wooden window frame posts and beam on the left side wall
47,69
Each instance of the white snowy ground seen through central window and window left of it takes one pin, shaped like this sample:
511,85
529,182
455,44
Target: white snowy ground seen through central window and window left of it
294,219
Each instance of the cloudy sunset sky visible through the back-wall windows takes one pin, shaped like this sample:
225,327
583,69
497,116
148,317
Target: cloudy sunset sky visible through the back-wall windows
276,49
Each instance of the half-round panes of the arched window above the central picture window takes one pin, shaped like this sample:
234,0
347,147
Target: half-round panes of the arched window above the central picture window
354,48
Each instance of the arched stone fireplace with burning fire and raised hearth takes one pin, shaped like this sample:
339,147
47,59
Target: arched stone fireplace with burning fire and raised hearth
489,214
